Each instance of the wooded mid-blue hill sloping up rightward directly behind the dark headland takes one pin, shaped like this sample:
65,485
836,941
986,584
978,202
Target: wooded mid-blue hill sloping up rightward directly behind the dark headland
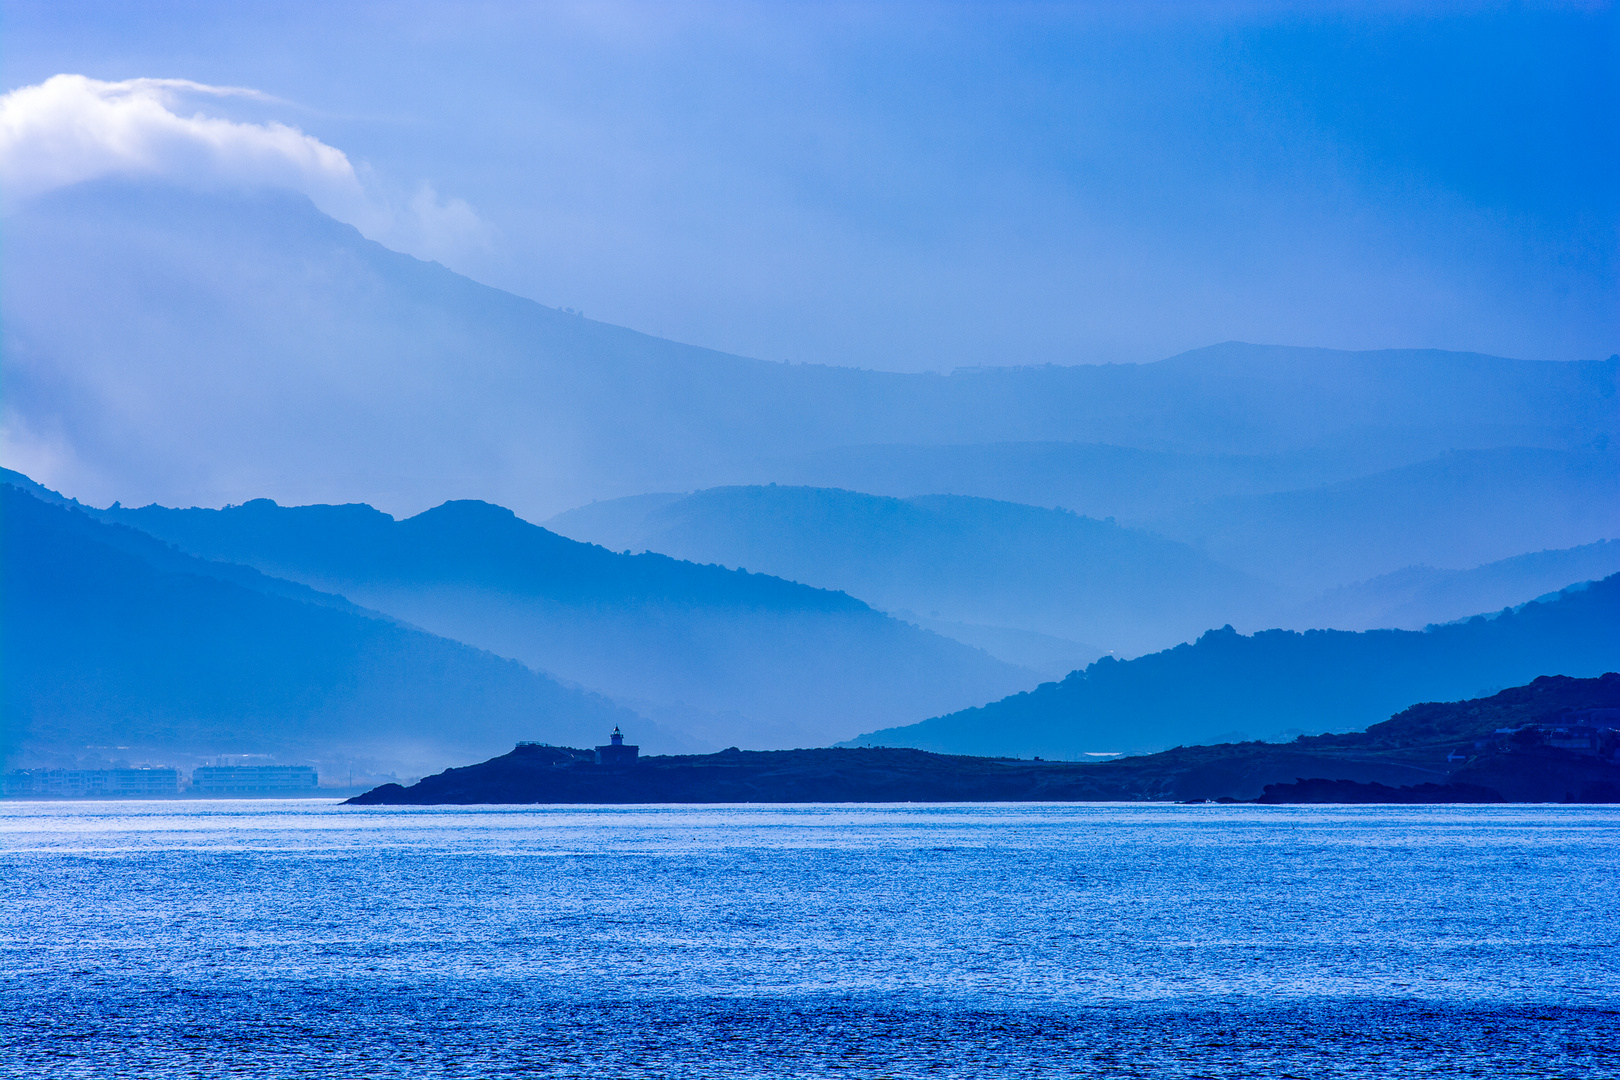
1229,686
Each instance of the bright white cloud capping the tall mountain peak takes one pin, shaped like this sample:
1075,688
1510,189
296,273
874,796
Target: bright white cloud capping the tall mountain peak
72,129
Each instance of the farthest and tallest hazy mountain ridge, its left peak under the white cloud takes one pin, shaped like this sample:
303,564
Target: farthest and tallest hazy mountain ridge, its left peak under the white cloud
176,347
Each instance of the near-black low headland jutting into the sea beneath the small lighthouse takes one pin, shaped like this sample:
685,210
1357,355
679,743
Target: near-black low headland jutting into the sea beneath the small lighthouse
1553,741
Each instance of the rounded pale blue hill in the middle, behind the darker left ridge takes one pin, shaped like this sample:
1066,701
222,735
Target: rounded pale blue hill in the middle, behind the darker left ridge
947,559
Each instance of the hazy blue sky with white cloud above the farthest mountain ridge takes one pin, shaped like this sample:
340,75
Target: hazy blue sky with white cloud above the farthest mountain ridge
903,187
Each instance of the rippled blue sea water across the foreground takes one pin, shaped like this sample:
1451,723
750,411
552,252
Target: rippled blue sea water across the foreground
304,938
